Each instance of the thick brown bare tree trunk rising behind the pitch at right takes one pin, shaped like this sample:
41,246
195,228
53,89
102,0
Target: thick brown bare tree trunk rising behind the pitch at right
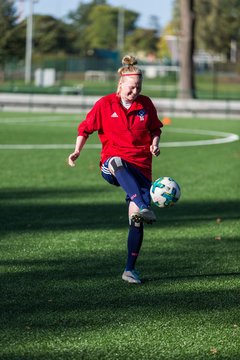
186,81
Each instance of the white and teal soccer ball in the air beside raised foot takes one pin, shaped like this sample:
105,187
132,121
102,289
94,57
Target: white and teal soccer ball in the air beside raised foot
165,192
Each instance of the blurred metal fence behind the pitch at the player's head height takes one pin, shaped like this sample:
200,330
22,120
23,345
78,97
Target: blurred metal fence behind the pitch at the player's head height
220,81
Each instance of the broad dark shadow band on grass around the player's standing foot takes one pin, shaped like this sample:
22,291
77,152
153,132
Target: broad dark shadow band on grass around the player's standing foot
71,291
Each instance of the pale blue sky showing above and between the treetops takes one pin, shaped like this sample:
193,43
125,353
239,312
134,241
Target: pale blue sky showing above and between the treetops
60,8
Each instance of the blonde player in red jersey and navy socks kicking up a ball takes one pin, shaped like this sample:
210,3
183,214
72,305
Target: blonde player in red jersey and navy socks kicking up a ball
129,130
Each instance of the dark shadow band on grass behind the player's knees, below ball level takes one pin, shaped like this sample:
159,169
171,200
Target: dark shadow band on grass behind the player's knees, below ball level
32,210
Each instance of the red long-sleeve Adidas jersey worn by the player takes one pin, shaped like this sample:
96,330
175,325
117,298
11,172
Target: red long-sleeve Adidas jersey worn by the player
124,133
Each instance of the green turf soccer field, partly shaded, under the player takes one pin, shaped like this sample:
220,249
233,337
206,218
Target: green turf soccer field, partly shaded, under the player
63,249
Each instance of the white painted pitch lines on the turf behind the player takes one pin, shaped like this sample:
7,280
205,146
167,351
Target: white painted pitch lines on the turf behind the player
224,138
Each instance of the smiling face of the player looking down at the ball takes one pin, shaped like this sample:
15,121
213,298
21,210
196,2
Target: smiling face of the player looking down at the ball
130,87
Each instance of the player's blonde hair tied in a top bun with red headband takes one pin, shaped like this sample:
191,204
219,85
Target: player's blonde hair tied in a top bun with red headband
129,68
